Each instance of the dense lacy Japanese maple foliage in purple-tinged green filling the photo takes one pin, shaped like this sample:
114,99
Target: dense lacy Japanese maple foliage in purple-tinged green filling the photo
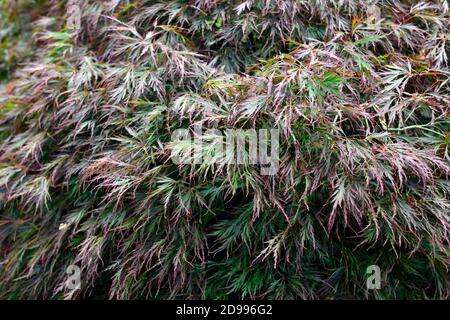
91,92
